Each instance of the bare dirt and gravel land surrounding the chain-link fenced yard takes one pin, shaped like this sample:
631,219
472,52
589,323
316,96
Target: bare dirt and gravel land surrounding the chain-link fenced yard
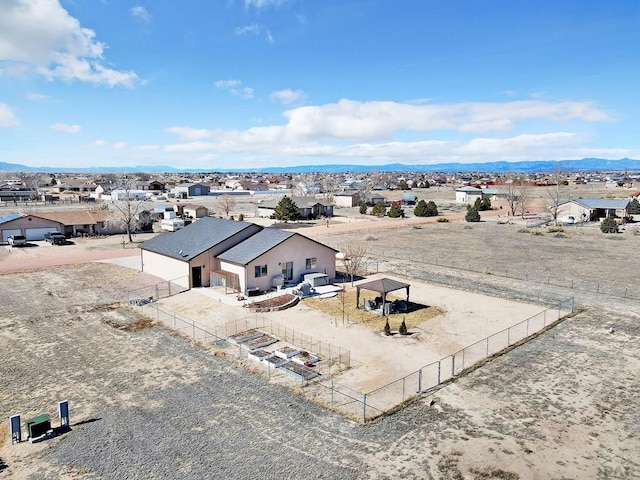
146,403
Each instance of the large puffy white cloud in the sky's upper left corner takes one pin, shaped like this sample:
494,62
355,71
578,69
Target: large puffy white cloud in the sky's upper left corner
40,37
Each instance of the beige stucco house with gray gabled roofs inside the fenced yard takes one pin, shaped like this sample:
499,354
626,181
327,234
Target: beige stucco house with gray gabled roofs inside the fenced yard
239,255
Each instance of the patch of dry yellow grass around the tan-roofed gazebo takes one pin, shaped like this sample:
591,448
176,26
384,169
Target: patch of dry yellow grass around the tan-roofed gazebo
346,303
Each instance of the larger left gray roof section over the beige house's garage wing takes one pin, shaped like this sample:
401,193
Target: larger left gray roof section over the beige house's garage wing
194,239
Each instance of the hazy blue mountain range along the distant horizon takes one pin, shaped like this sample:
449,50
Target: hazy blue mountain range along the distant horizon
584,165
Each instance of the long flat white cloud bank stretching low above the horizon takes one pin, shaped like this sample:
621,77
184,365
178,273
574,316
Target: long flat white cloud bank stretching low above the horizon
367,131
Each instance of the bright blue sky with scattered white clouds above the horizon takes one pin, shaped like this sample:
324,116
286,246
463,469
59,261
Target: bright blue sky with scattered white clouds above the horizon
216,84
